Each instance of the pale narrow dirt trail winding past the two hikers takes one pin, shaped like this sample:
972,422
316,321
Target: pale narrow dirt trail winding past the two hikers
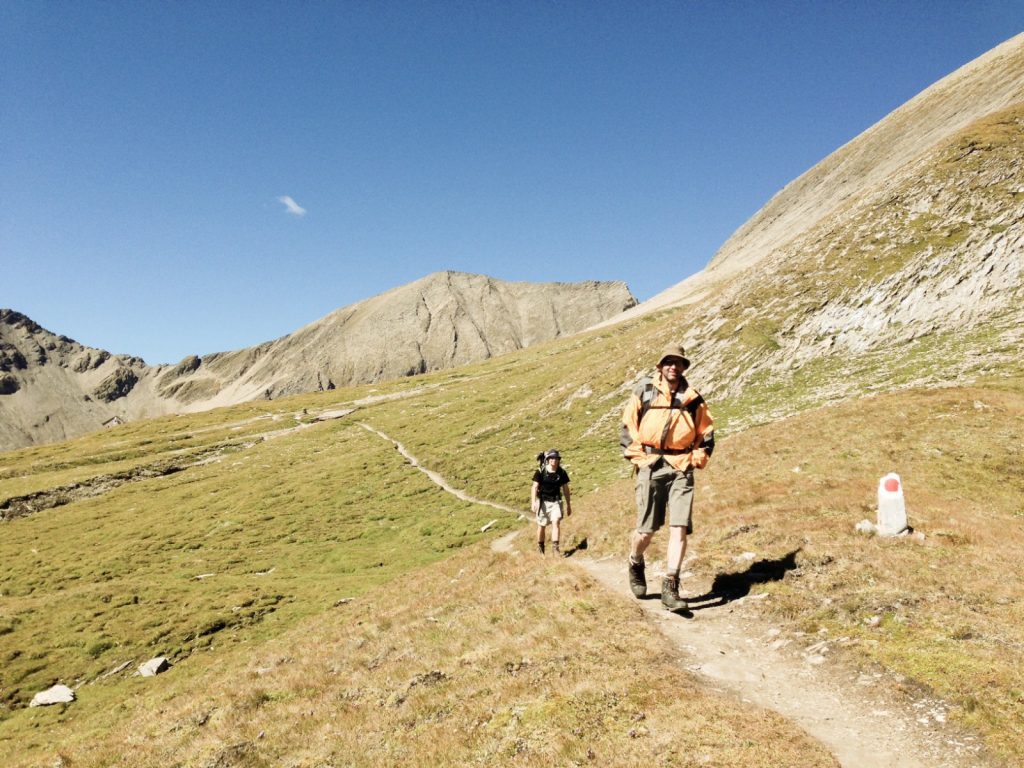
738,652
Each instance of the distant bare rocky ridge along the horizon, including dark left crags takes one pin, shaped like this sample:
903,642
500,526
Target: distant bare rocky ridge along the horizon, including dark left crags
54,389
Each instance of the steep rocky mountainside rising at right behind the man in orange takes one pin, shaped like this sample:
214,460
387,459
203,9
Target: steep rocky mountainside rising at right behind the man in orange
919,263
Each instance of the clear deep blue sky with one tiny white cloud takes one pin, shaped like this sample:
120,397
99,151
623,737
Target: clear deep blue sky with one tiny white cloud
190,178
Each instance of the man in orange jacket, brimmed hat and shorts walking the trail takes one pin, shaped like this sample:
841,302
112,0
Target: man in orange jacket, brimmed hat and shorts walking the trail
672,434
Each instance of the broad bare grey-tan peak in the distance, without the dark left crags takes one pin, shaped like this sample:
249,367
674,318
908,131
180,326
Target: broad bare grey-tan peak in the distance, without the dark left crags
443,321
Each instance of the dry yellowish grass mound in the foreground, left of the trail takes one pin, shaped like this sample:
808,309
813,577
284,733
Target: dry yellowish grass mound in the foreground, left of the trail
486,659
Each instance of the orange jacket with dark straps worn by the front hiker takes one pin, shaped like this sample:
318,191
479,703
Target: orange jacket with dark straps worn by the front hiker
682,433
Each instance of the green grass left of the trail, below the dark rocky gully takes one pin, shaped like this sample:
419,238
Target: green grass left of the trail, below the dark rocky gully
169,567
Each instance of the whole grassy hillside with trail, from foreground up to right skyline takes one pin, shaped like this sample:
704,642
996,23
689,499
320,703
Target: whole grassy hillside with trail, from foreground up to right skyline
323,602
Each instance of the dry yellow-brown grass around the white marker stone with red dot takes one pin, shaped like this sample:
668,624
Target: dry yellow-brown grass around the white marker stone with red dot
950,605
